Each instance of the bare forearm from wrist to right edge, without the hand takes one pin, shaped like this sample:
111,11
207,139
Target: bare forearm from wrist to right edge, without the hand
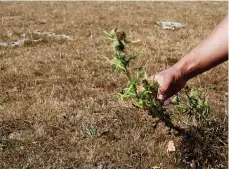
208,54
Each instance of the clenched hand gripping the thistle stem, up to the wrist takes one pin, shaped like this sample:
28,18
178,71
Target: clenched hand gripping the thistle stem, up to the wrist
171,81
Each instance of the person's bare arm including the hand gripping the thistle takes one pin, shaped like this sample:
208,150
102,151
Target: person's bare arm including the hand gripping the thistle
209,53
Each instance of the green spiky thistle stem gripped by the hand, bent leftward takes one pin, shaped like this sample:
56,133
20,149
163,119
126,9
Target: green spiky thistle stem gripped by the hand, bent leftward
142,91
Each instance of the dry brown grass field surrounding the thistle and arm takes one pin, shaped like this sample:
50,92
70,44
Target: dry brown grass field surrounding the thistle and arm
55,93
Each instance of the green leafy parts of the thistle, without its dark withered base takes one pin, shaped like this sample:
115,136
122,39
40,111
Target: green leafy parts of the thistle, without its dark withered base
143,92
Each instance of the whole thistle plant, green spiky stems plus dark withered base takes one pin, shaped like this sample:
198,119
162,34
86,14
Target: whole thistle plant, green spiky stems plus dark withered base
203,136
